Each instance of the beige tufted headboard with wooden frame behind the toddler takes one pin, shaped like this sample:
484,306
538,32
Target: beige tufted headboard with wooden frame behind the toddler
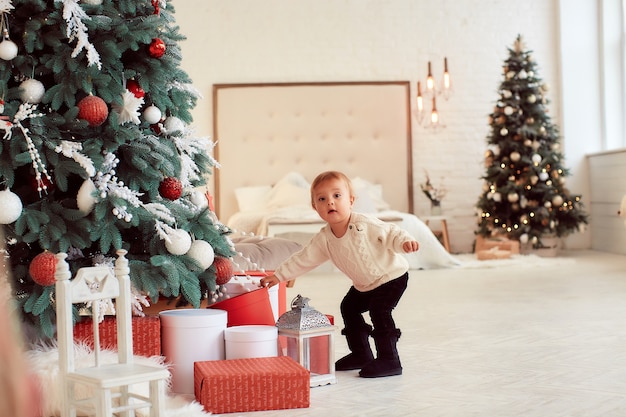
264,131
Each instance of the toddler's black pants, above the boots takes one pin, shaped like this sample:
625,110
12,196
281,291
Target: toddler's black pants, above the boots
380,302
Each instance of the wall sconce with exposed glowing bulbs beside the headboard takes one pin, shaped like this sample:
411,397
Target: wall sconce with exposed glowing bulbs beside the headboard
430,119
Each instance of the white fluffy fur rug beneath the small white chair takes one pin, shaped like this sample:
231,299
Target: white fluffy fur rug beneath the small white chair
44,362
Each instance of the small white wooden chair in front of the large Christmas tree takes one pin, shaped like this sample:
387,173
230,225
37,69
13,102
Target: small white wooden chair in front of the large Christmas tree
108,385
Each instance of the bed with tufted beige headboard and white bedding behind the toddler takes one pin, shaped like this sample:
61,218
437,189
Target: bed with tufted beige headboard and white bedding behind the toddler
273,139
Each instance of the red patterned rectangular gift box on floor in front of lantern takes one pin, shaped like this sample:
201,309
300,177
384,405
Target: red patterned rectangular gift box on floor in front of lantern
238,385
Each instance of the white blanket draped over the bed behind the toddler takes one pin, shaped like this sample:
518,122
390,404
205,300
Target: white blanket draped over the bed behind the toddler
430,255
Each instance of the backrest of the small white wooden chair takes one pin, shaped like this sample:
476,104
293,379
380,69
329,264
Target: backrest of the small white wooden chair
94,286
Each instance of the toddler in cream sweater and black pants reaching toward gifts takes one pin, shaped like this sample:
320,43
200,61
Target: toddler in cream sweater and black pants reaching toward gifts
367,250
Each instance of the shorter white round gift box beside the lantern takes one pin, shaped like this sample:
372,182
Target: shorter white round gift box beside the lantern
251,341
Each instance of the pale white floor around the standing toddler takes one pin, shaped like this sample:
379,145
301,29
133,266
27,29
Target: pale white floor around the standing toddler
537,337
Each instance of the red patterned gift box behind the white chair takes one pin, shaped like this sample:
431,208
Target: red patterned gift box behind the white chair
146,334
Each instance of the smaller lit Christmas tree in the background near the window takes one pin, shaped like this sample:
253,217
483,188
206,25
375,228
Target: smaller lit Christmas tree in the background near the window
524,195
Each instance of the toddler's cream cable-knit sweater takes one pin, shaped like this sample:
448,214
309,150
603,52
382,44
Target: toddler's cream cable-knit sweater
368,253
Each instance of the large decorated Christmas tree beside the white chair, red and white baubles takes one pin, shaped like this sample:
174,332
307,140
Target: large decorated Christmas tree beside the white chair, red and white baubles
98,153
